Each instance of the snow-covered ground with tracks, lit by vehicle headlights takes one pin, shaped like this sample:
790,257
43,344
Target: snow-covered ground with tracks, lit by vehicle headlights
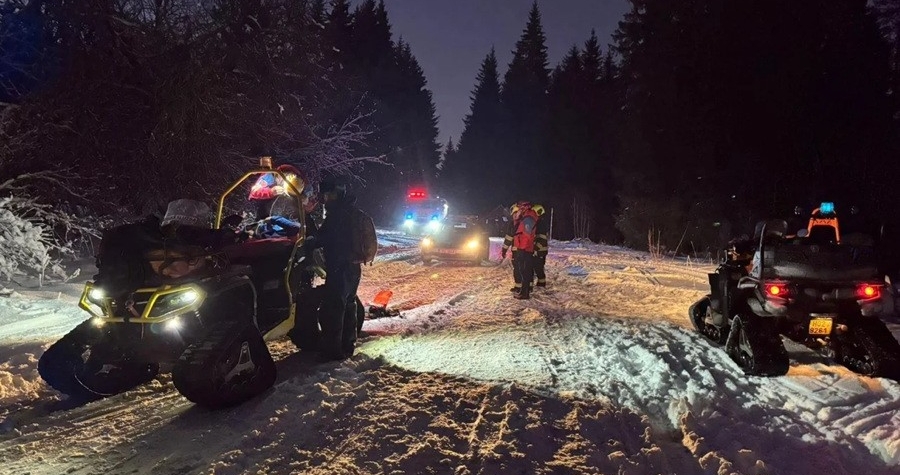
598,374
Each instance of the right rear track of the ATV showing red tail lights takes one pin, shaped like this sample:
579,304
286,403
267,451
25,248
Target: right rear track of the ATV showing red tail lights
870,349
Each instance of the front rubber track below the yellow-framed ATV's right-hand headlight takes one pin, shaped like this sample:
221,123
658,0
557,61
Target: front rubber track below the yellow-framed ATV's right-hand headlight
230,365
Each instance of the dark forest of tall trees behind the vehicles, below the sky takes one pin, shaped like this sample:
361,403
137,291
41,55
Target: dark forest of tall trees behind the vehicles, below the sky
700,118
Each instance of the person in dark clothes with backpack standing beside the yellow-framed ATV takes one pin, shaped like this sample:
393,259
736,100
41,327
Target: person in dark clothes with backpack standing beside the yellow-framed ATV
338,311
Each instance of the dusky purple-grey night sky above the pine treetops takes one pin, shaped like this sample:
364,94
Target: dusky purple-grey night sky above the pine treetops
450,38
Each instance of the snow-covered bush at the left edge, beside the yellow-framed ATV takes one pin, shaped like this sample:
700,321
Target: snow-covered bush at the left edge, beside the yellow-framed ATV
27,247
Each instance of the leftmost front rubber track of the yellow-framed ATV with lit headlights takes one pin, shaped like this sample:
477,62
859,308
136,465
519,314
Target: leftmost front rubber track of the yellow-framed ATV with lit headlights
82,367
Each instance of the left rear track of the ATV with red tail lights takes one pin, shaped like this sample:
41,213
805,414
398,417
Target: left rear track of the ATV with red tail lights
755,345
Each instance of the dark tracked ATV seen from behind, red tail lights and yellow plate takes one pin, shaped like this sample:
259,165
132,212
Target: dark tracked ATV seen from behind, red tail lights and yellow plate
815,287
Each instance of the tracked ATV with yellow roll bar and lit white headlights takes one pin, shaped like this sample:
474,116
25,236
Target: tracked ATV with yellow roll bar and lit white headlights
202,302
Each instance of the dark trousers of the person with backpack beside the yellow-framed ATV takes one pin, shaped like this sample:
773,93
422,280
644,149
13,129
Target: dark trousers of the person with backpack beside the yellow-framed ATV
338,314
